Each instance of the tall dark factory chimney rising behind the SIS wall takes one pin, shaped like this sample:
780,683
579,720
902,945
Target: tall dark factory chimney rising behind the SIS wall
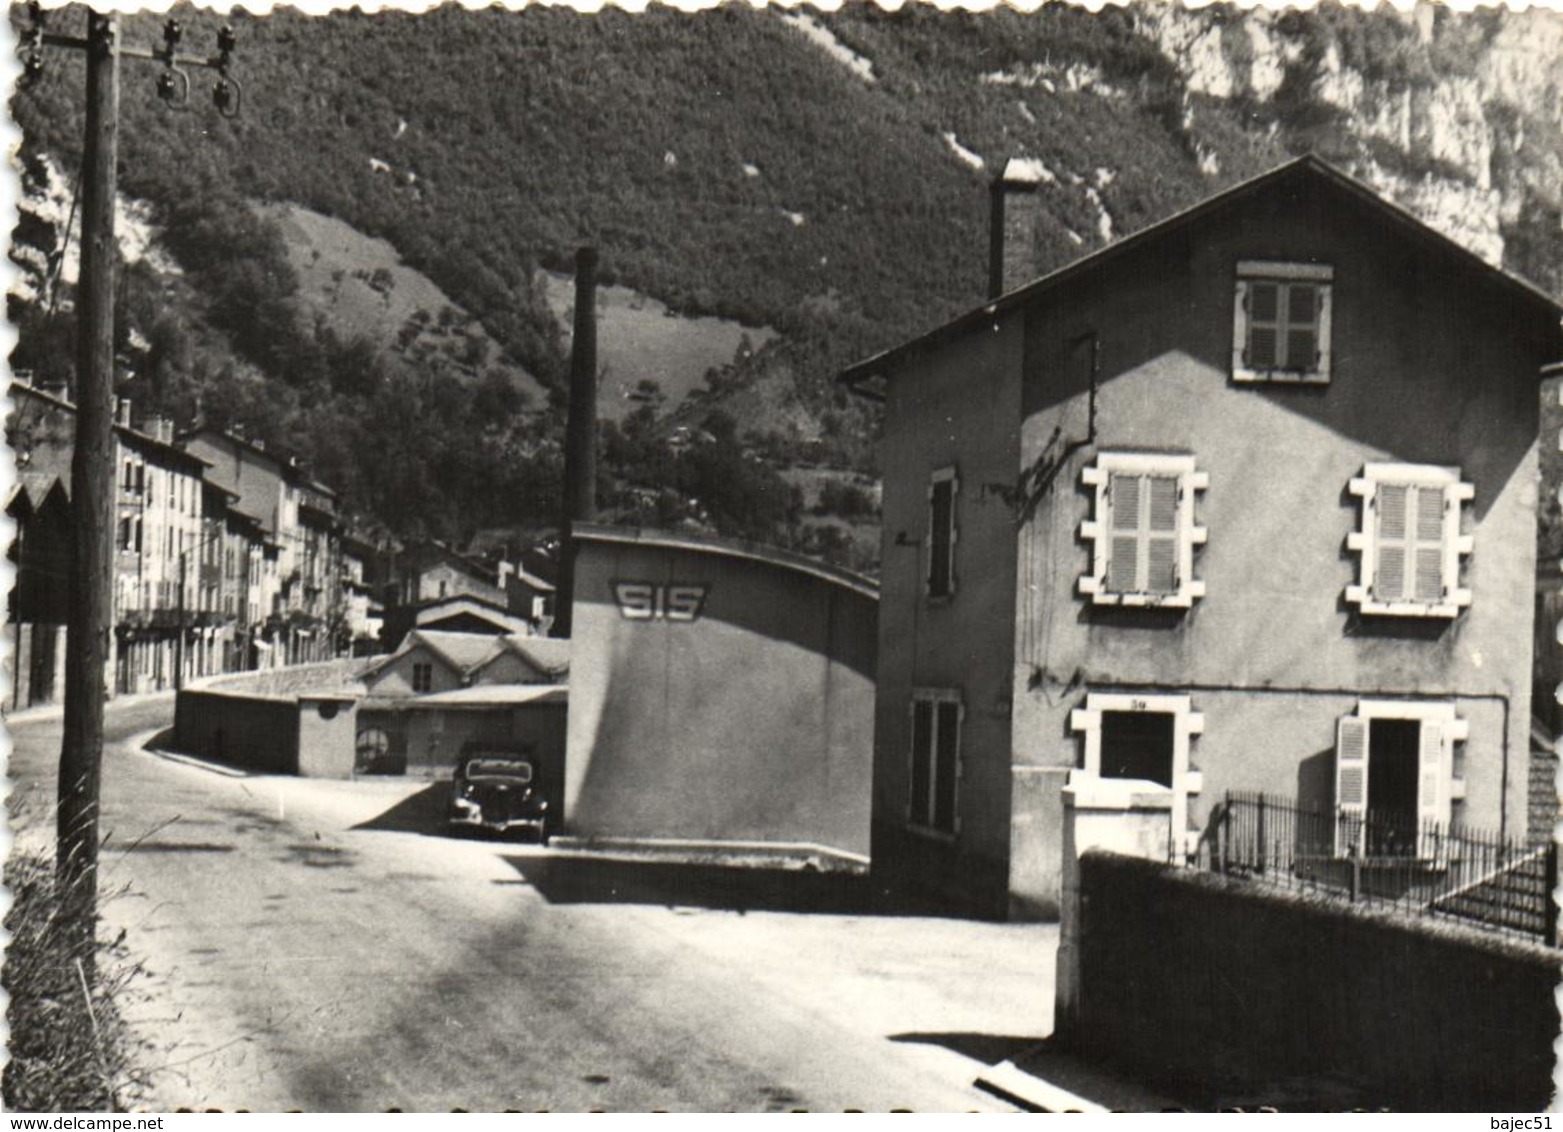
581,435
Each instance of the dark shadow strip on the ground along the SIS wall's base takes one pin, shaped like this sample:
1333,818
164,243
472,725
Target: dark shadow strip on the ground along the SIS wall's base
565,879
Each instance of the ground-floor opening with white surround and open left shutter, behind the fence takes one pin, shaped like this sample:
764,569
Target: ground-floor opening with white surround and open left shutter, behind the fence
1395,778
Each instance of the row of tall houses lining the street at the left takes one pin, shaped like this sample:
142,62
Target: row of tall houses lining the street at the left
227,559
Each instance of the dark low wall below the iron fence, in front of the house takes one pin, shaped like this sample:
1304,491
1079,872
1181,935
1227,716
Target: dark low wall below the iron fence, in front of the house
1278,998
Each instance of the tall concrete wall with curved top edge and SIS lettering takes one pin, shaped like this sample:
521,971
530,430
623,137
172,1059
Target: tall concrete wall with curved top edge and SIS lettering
718,693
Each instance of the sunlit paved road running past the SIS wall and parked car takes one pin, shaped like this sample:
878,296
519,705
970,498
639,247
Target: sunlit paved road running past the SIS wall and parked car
312,947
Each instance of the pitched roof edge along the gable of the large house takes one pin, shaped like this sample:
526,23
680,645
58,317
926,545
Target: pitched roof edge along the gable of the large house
1306,167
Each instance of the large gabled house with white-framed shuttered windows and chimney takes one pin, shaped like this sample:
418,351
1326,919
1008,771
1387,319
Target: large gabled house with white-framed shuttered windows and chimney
1245,501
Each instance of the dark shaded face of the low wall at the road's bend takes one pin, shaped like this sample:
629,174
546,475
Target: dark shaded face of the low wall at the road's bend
256,733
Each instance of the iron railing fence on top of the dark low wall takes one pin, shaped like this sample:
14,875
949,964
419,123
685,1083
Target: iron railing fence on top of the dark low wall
1420,869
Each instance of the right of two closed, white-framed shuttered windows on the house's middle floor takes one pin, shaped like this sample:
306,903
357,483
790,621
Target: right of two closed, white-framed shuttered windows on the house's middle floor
1411,542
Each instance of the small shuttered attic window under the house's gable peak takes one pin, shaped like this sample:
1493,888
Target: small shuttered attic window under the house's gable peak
1282,323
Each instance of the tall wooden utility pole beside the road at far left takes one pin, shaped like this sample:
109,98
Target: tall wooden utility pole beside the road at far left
90,618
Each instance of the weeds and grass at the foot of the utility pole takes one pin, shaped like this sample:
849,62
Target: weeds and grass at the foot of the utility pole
70,1053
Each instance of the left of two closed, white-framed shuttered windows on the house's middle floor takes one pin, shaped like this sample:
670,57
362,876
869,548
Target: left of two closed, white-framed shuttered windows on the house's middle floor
1143,532
